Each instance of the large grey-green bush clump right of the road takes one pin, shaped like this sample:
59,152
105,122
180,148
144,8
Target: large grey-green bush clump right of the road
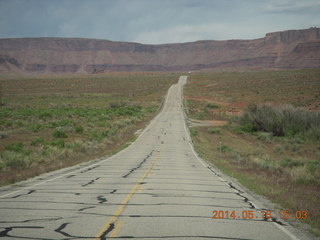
285,120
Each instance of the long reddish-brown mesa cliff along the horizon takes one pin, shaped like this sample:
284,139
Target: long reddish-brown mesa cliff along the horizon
279,50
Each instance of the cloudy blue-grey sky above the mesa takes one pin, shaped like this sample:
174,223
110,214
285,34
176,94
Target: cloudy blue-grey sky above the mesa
155,21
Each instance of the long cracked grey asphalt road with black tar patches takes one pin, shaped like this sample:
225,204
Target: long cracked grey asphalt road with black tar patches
157,188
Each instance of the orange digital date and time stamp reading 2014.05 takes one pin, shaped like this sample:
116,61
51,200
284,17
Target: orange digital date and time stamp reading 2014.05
262,214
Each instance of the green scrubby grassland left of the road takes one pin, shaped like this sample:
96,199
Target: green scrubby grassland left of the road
49,122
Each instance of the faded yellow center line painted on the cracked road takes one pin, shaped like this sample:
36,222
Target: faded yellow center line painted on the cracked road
113,219
